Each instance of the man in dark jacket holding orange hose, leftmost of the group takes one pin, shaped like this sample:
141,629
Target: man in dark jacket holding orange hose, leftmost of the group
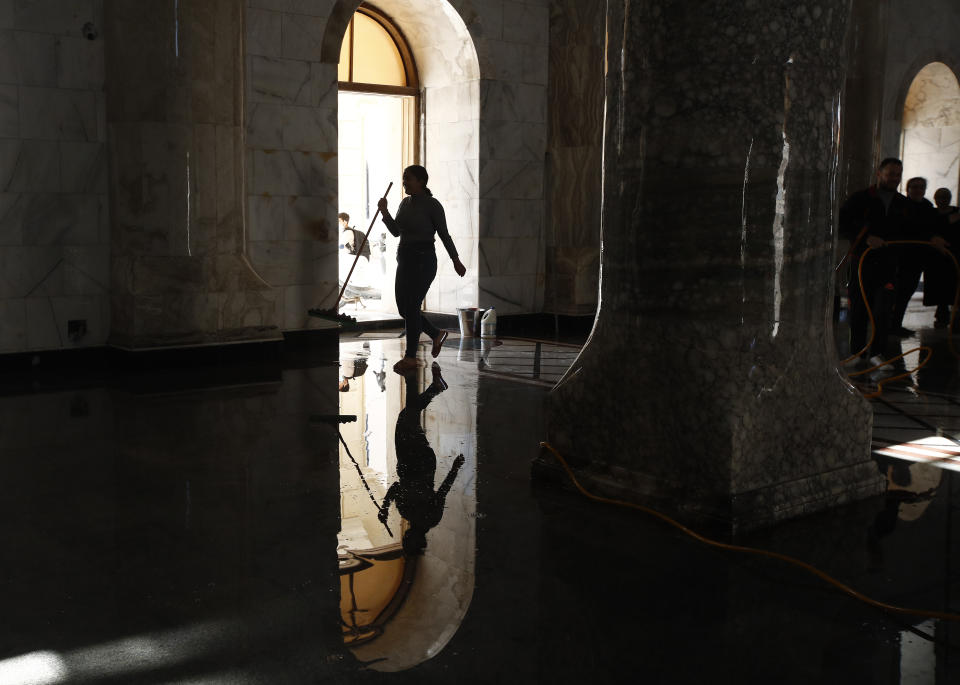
869,218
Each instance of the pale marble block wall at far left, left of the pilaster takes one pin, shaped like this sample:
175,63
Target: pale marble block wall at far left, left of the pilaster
54,231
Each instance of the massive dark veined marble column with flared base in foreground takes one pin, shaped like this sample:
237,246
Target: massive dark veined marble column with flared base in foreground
709,381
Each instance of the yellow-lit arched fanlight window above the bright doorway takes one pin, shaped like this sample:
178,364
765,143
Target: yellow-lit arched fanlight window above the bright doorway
375,57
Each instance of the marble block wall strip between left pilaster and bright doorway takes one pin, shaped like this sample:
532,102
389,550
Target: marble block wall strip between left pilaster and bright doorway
291,143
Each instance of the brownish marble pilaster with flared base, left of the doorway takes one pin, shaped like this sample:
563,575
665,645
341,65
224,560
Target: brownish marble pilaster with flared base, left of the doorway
175,125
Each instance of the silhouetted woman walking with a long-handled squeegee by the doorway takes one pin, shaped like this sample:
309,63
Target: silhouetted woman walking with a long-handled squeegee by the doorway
418,217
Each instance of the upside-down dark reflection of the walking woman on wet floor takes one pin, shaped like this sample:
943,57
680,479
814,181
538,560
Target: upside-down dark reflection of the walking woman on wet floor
416,468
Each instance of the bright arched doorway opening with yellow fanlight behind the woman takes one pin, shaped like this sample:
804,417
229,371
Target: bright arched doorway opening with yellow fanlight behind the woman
377,114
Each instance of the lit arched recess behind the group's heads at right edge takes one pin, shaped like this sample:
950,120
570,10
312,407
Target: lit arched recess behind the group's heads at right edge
931,128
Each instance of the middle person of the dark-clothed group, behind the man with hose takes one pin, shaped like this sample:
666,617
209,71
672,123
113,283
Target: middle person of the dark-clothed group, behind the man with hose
922,225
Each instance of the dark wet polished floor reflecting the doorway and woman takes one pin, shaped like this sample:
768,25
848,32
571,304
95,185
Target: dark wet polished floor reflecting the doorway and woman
319,518
